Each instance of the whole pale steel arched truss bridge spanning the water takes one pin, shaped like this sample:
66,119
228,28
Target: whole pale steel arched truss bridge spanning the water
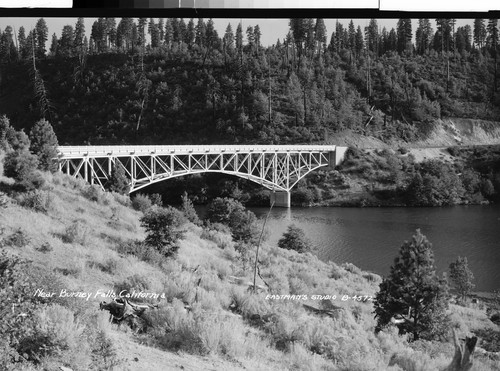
277,168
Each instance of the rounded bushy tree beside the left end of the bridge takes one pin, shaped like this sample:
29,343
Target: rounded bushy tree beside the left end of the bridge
44,145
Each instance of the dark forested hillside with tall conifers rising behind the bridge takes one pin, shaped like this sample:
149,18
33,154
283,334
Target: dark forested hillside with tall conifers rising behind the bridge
177,81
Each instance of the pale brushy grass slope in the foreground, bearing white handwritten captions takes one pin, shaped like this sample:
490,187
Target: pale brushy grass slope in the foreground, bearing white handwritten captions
91,241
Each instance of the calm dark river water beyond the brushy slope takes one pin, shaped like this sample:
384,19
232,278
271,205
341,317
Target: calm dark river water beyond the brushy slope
370,237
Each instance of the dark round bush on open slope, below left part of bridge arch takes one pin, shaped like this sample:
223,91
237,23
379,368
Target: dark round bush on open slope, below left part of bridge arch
161,226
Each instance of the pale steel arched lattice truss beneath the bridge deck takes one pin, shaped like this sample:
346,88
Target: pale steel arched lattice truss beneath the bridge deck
277,171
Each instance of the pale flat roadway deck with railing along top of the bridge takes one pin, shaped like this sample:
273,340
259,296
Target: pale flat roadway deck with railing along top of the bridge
104,151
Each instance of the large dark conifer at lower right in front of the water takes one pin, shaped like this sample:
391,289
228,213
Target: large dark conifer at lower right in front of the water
413,292
